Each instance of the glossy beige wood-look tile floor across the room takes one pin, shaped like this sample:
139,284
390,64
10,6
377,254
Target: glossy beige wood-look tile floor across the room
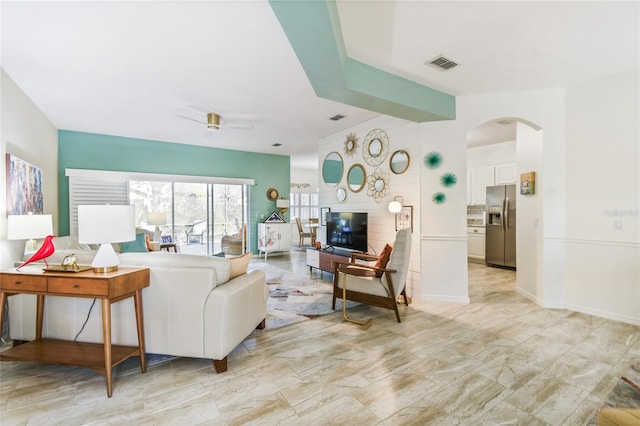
499,360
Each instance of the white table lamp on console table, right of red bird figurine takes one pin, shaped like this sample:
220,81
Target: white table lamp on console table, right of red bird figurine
106,224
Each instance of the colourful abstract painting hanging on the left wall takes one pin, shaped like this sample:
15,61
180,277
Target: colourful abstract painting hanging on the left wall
24,187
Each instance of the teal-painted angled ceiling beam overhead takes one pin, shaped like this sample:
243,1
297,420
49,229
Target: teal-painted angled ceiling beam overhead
313,29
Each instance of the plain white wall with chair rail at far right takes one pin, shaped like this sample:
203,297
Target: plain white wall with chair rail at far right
603,197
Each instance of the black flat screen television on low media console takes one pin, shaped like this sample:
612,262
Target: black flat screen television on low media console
347,230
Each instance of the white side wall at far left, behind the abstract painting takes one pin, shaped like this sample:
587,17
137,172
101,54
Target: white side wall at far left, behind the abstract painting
28,134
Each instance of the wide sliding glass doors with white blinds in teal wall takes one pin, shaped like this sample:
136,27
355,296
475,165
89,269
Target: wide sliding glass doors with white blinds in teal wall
199,210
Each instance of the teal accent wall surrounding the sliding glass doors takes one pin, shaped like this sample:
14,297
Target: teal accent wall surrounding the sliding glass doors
79,150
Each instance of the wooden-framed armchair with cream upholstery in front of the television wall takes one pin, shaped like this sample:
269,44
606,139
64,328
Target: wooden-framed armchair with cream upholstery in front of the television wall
375,285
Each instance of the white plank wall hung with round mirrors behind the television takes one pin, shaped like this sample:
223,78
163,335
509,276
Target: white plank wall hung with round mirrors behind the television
402,135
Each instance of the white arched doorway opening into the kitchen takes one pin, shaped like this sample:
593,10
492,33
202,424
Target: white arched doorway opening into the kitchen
499,151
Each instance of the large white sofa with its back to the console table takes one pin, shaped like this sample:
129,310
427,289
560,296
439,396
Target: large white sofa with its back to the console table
191,307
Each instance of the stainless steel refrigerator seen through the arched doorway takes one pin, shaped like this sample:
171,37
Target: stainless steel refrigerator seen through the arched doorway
500,242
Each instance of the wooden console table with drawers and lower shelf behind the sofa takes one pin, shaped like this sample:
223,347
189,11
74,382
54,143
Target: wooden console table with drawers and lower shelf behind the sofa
108,287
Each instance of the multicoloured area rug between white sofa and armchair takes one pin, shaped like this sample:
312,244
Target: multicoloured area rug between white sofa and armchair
295,297
